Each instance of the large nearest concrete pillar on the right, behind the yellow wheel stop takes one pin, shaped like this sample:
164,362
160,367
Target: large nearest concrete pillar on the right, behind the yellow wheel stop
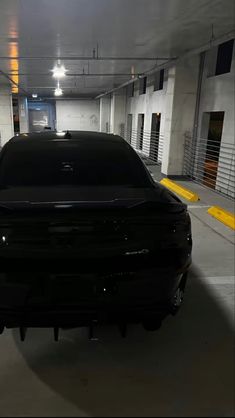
180,109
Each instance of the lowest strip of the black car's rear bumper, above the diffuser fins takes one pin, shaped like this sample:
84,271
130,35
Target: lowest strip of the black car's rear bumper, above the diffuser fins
81,316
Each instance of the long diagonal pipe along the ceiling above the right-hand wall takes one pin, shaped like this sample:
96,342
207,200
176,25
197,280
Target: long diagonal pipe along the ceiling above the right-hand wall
211,43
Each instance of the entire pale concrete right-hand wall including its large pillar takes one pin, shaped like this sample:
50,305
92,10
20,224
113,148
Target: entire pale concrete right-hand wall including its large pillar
176,103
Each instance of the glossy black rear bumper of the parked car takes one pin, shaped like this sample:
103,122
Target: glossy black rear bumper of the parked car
71,301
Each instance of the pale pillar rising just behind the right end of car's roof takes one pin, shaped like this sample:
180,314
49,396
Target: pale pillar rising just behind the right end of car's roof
118,113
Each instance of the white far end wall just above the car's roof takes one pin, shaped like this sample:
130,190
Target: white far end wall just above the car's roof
78,115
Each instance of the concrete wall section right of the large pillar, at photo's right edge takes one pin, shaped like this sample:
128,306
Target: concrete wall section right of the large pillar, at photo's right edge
218,94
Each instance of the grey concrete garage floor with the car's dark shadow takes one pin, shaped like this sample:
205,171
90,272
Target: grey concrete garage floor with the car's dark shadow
184,369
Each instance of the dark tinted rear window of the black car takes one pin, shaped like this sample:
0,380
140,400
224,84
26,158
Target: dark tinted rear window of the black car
52,163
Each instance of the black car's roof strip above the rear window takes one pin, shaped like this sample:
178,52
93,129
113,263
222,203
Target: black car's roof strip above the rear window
67,136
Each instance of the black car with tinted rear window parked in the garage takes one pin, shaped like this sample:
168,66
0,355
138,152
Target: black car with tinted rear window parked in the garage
86,235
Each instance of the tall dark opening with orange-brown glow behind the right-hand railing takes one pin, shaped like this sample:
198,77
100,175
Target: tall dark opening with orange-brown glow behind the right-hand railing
212,149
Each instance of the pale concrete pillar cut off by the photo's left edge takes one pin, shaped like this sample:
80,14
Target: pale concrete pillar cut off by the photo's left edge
6,114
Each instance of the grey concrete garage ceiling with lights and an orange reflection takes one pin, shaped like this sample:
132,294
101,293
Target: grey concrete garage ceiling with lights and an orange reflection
35,33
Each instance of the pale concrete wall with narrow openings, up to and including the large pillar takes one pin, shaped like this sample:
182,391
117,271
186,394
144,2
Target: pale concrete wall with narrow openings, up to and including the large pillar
176,104
